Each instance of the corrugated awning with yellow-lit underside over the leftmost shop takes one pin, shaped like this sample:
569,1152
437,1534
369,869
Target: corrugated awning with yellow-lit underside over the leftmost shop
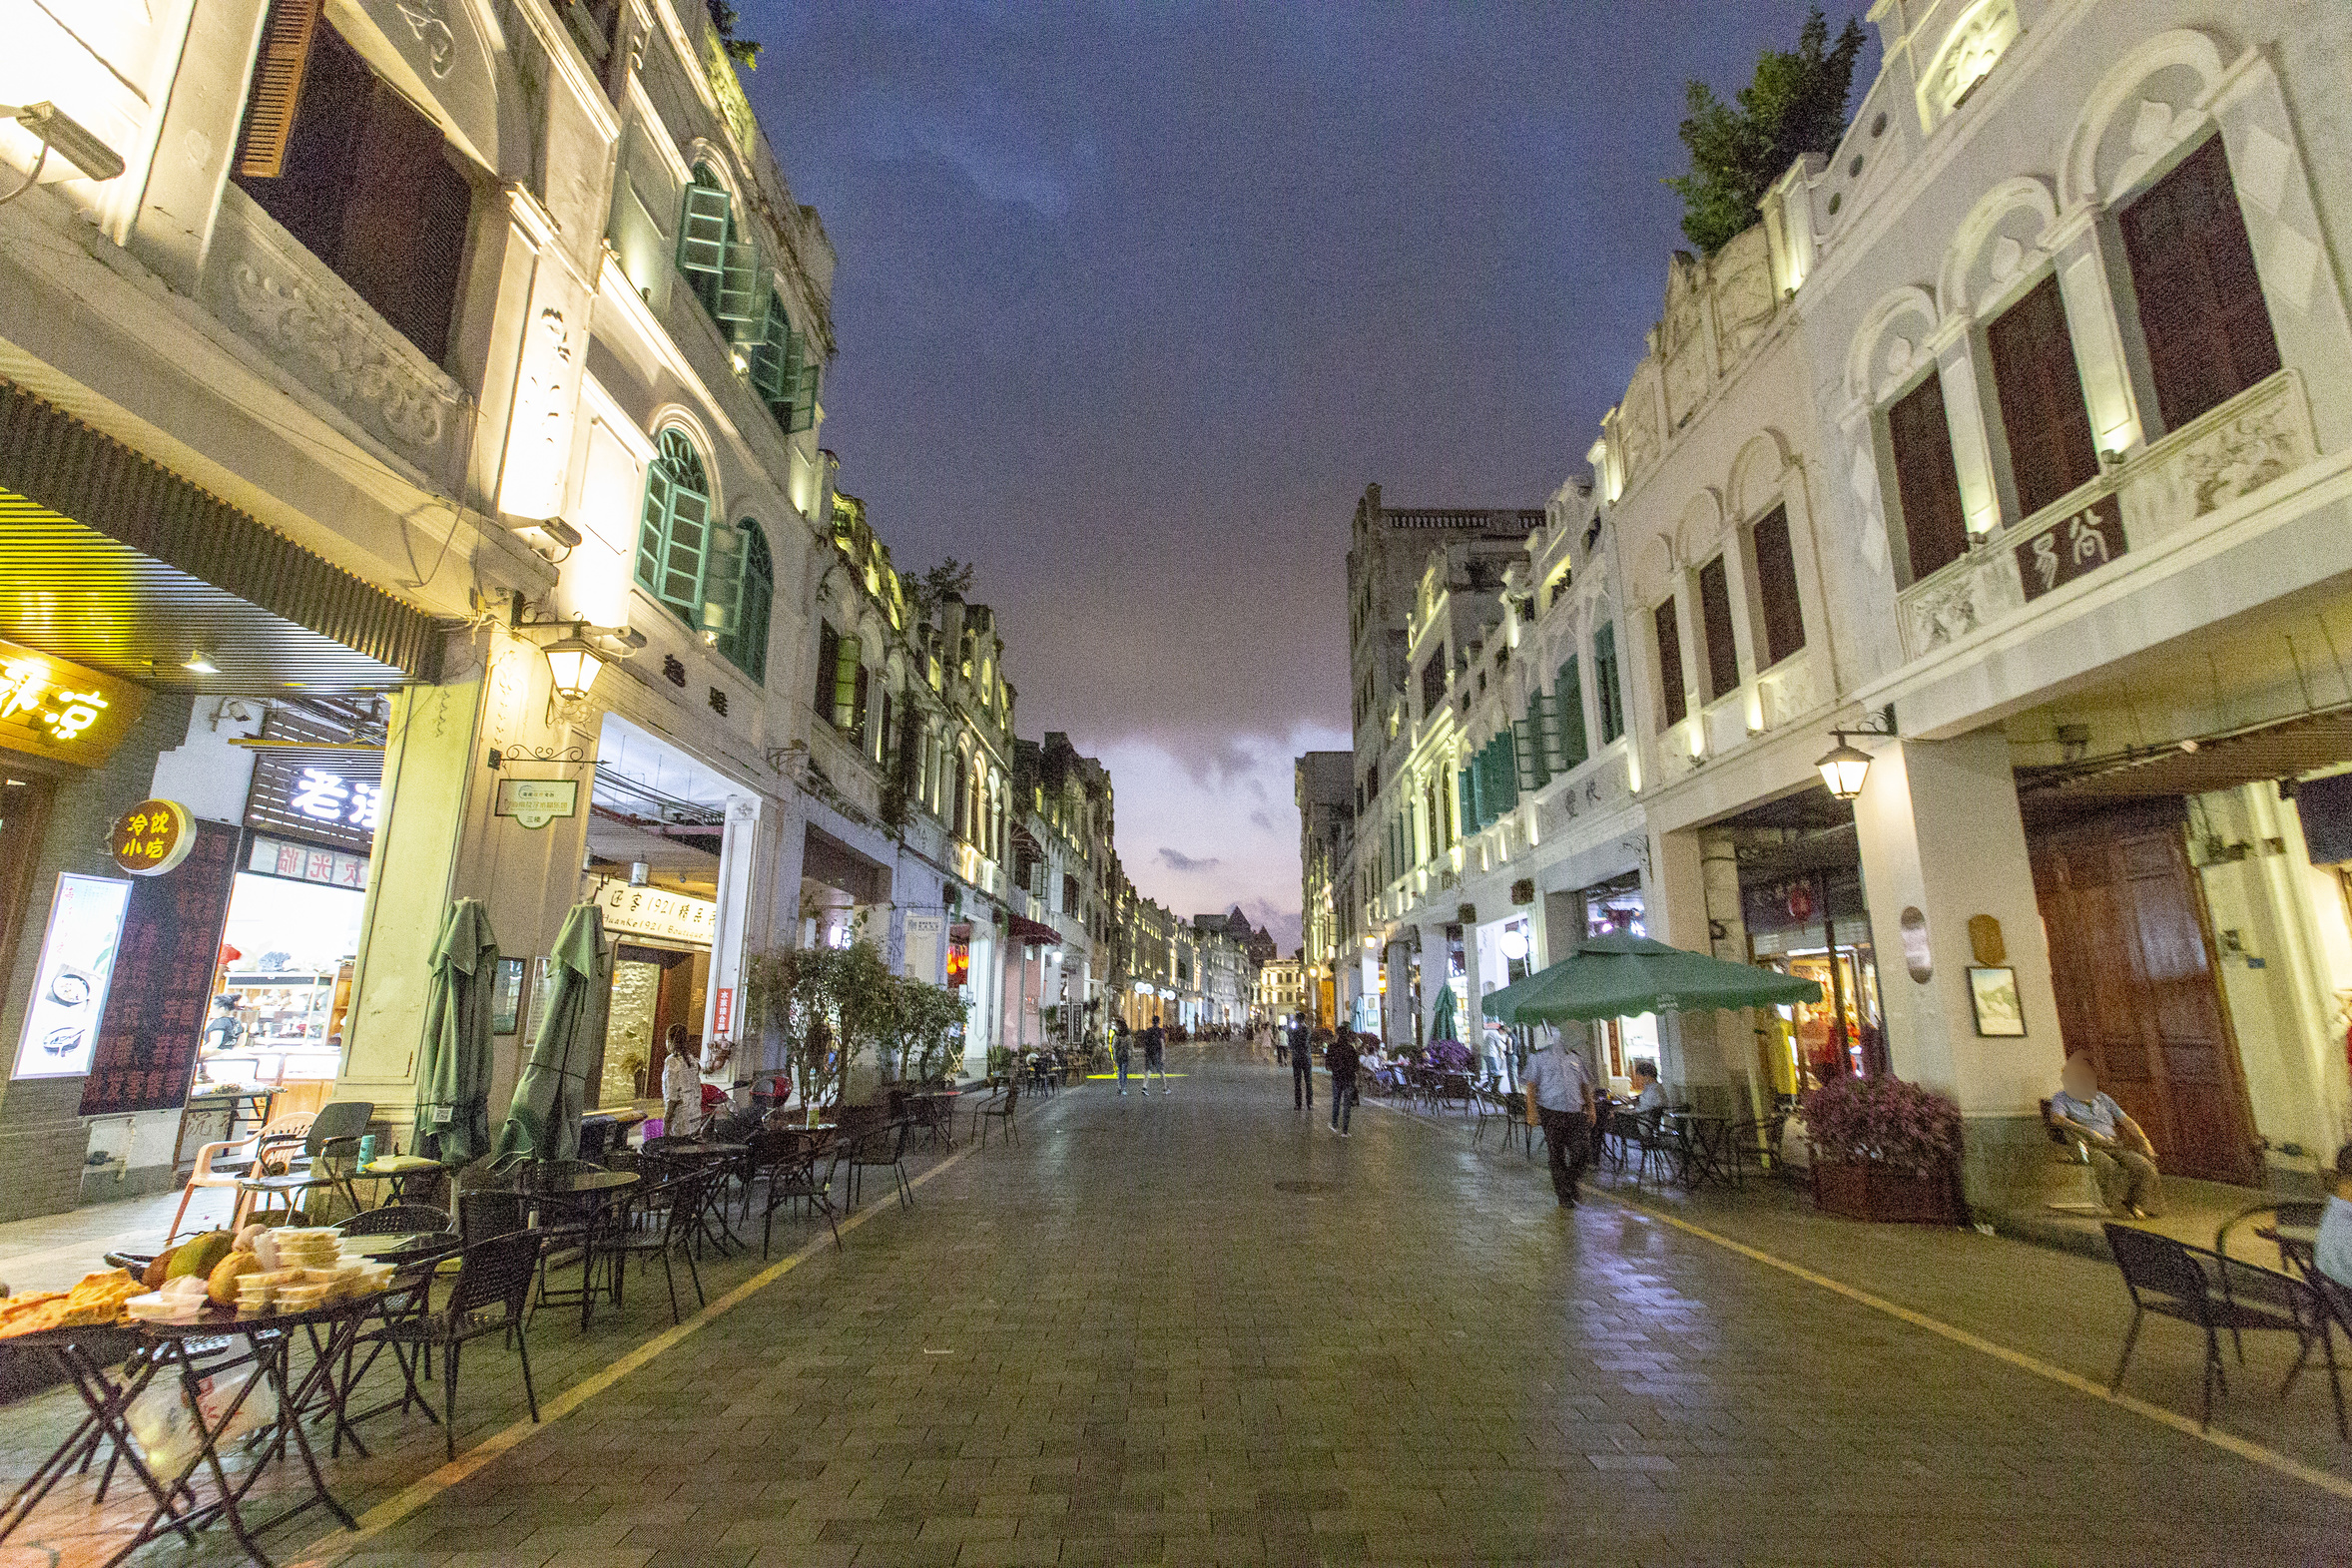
123,565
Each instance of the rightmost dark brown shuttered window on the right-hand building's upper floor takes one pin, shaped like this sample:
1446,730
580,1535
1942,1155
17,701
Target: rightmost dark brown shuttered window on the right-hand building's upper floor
2200,295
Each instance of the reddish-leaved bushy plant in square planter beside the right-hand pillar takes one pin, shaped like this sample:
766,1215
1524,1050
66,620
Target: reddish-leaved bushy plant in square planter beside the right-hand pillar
1885,1151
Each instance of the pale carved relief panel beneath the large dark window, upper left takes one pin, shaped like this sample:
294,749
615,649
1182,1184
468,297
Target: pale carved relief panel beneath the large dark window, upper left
319,330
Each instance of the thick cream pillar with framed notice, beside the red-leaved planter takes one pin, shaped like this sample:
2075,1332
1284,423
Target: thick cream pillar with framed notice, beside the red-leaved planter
1942,836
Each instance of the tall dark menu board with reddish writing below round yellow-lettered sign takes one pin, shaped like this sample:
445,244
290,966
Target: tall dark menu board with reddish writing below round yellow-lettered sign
163,970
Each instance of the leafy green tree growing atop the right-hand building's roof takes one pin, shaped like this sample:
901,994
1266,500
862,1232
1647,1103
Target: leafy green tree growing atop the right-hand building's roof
1793,107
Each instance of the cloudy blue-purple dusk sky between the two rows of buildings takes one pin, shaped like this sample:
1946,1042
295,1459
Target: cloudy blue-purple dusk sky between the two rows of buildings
1132,304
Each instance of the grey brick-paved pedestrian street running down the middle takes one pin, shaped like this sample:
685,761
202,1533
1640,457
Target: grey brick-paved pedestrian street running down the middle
1203,1329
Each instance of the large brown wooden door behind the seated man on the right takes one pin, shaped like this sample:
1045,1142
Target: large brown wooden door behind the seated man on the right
2134,974
